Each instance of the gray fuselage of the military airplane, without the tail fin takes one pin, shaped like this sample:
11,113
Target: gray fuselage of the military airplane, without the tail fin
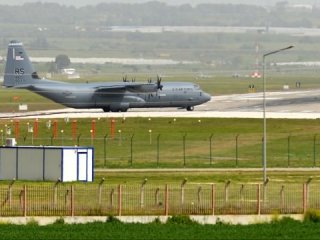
172,94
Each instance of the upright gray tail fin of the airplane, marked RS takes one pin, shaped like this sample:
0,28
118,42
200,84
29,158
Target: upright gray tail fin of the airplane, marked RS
18,70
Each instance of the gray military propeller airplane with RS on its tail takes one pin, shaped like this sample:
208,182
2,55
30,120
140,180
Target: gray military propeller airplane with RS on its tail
112,96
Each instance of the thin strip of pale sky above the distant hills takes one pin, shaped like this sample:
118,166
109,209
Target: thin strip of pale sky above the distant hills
79,3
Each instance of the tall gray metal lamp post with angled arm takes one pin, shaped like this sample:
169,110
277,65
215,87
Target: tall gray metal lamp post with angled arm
264,109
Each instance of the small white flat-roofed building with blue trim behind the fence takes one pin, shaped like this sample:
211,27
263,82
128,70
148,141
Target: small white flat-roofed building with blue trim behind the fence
47,163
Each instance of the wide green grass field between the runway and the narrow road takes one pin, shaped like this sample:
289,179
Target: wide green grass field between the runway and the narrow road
182,142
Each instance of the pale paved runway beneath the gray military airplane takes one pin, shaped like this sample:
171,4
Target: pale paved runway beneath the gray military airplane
283,104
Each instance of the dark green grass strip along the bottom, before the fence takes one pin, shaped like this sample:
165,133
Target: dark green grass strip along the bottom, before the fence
281,229
